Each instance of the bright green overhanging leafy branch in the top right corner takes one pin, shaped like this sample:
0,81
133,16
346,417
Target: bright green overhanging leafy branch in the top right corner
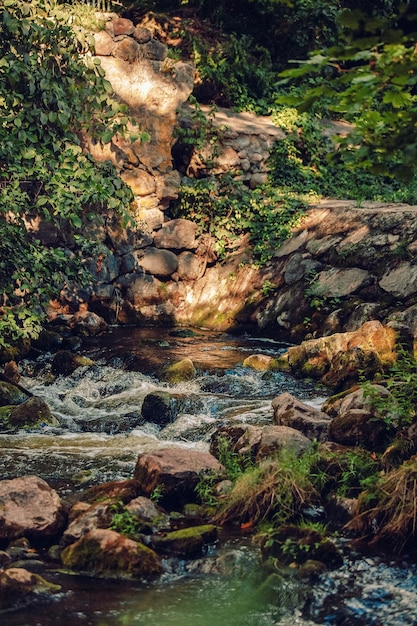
370,78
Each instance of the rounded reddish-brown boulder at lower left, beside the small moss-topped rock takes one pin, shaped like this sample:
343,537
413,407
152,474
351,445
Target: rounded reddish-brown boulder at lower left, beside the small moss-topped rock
107,554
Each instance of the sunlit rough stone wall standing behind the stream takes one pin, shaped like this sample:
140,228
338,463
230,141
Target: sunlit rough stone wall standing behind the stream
343,266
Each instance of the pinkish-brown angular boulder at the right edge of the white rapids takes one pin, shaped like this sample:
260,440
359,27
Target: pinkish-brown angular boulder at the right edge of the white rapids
288,411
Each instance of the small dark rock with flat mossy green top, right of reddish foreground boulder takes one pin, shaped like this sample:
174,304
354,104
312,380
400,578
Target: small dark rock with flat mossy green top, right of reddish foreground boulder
187,542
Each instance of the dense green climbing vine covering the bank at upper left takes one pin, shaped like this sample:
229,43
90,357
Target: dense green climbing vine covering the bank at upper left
51,91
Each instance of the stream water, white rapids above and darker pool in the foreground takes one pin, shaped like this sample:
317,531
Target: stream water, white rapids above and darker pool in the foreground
99,435
